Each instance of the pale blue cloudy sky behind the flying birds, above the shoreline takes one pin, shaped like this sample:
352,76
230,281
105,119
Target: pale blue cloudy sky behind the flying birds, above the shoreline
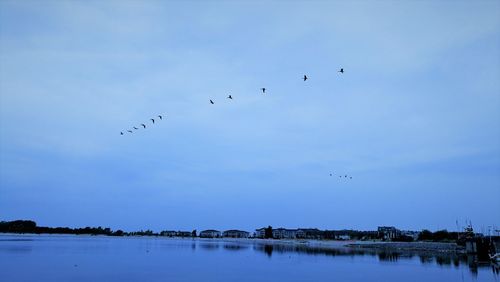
415,118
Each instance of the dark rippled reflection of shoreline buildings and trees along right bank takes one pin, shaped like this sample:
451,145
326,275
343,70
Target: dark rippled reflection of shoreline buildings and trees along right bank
441,259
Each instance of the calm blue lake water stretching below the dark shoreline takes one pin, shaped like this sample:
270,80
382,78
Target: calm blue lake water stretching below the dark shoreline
96,258
